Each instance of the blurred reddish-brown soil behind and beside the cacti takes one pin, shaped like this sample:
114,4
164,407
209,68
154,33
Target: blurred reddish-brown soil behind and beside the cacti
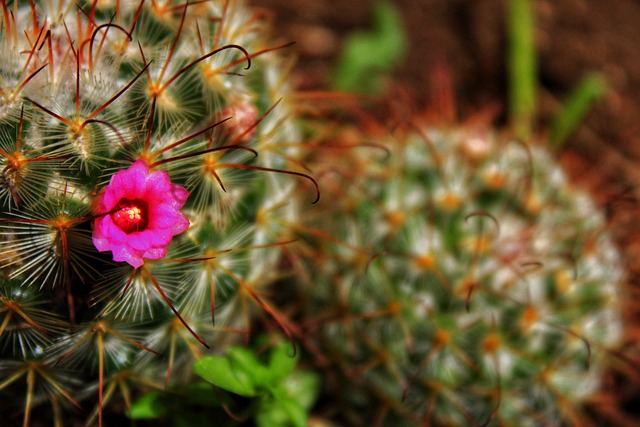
467,37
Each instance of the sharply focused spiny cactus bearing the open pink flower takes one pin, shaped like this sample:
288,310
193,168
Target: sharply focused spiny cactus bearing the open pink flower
146,149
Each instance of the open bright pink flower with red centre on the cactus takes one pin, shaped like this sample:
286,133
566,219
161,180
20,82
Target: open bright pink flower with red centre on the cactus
142,214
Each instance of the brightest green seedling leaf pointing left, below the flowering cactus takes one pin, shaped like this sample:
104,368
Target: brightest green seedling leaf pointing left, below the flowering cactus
229,376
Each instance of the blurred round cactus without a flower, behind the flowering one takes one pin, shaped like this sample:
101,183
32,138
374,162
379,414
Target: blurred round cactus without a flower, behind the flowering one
456,278
